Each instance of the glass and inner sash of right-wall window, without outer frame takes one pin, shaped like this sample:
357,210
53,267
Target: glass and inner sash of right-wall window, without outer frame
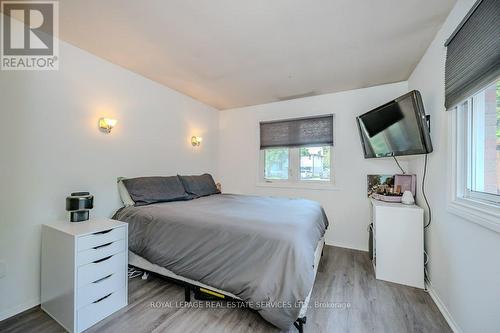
479,118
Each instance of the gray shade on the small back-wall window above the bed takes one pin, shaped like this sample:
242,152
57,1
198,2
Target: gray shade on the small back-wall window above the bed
298,132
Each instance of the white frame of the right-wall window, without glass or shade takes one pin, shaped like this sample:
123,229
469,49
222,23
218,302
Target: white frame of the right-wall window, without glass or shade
480,208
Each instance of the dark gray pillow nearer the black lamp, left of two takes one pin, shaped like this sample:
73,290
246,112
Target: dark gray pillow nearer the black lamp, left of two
148,190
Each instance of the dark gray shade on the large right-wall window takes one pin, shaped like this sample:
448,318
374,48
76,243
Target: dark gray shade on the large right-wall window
473,52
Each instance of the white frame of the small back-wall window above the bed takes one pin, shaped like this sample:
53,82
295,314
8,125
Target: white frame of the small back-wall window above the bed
294,180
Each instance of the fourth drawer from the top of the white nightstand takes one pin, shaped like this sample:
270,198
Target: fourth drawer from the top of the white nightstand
100,288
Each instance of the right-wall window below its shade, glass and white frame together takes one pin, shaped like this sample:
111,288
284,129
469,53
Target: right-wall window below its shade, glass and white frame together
475,158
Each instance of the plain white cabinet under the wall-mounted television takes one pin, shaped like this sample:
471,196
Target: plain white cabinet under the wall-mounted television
398,243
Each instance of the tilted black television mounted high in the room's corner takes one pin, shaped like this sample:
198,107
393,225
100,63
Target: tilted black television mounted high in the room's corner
396,128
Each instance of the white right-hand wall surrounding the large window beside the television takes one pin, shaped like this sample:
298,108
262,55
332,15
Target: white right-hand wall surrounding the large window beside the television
464,263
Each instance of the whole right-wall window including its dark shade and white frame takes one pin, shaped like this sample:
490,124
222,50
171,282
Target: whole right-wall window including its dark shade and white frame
472,96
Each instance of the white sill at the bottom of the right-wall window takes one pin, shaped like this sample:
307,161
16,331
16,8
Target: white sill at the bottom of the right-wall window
484,214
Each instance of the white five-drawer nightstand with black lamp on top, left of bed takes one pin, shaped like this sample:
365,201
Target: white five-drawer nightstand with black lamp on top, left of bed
84,271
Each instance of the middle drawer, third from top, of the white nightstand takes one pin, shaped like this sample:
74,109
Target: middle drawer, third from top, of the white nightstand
97,270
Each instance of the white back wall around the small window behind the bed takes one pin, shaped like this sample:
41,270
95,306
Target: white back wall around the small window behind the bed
347,207
